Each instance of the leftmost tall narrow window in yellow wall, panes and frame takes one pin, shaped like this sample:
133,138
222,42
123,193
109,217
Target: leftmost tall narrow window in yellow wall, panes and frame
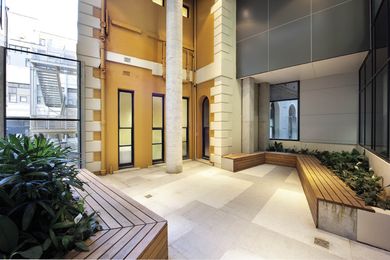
126,128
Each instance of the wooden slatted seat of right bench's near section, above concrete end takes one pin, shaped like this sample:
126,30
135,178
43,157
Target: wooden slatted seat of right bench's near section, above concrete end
320,183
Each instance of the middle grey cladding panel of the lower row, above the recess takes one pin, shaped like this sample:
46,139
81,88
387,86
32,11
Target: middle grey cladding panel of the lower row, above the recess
289,44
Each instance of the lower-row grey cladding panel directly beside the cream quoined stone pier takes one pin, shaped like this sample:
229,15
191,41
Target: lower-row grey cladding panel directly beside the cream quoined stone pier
252,55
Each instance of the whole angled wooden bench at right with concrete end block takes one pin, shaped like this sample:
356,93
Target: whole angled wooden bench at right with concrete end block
332,203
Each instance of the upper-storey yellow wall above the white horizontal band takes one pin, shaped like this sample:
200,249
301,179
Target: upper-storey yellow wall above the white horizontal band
137,28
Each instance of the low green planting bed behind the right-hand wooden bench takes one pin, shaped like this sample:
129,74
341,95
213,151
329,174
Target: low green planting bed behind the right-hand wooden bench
352,168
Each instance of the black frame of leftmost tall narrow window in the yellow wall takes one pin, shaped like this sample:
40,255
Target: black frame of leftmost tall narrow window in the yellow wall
126,165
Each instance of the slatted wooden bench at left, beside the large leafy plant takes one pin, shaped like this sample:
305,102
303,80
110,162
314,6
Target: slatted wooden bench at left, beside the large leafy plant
129,230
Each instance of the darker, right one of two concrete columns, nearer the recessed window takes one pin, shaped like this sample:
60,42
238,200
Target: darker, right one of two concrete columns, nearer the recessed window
264,116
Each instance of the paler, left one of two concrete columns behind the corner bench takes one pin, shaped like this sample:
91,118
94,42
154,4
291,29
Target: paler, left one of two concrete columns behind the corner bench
250,116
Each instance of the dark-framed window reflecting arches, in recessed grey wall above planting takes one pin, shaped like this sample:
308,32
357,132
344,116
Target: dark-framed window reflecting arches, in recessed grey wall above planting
284,111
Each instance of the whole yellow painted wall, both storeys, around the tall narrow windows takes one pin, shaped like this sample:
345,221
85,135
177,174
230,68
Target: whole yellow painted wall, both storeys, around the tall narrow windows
137,28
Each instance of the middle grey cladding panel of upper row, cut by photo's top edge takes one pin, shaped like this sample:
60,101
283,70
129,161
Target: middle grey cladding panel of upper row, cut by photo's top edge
283,11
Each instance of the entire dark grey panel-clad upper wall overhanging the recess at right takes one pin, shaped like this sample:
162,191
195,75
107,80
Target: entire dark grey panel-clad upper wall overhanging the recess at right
302,30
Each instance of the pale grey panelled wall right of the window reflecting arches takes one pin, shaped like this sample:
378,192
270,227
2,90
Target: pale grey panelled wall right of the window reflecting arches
329,109
